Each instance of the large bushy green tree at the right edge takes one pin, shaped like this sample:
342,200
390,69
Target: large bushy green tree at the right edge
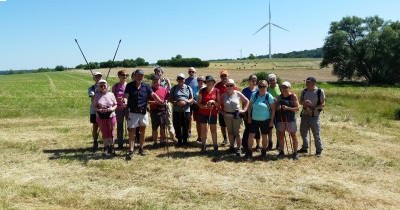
366,48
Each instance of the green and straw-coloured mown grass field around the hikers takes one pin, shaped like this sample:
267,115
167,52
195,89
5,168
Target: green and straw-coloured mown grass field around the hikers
46,162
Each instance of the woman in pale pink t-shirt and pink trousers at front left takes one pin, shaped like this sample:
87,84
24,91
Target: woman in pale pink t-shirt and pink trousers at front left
105,105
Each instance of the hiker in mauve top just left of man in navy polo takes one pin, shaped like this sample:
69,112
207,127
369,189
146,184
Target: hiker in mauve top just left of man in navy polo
121,112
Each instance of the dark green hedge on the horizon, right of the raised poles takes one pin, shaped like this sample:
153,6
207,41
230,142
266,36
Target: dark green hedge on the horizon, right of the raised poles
179,61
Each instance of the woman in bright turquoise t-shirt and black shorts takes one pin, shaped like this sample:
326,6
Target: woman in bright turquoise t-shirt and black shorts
260,113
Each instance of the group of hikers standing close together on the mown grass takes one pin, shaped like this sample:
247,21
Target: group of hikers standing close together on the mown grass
261,106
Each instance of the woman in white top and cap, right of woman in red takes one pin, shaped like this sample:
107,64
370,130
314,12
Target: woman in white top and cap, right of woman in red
232,101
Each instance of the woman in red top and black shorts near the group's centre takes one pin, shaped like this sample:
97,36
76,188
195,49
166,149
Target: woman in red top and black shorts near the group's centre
208,102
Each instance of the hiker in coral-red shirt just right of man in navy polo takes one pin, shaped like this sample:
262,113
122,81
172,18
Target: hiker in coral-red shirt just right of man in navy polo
158,113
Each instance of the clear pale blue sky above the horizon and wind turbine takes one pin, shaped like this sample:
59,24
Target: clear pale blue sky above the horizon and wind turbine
41,33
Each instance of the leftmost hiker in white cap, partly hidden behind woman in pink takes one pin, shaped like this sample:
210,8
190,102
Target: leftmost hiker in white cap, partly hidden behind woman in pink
91,92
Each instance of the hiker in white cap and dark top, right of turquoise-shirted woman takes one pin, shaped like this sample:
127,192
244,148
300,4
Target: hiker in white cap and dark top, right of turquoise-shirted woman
287,106
